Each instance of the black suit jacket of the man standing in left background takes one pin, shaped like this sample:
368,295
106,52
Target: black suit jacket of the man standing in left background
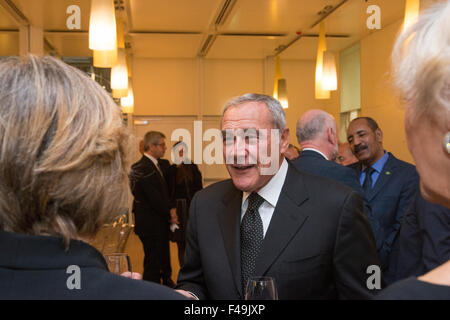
151,204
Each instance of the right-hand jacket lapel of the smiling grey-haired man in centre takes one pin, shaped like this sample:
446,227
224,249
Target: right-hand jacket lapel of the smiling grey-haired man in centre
287,219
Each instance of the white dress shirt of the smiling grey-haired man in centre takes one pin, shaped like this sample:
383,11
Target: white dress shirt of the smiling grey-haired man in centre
270,193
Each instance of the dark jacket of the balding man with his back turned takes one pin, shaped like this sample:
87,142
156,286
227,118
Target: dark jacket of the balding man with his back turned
314,163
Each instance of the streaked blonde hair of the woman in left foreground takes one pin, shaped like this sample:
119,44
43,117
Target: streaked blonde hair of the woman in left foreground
63,150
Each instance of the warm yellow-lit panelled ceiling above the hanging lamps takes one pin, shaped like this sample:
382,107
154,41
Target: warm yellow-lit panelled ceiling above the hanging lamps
253,29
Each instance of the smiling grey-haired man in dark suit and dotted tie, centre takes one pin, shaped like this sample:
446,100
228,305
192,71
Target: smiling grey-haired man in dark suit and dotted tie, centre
307,232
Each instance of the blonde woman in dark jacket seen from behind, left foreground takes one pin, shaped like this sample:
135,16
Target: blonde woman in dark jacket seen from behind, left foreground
63,175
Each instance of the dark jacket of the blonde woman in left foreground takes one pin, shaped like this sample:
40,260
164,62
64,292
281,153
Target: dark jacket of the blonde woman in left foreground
35,267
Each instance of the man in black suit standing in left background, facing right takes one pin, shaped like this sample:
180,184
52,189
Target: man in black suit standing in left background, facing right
153,209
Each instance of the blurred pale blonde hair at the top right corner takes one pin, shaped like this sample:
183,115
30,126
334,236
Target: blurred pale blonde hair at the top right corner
421,65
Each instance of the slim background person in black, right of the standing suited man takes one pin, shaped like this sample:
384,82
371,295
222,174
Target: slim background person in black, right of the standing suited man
186,180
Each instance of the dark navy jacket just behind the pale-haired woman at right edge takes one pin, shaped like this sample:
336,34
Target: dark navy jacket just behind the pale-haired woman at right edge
423,242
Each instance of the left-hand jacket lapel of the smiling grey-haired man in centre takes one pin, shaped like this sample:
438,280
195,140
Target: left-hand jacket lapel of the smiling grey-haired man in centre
229,216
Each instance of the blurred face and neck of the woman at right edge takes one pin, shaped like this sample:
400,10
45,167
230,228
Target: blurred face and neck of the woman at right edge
424,139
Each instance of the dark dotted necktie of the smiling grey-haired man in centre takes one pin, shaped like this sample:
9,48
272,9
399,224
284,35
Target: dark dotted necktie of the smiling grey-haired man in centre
252,235
